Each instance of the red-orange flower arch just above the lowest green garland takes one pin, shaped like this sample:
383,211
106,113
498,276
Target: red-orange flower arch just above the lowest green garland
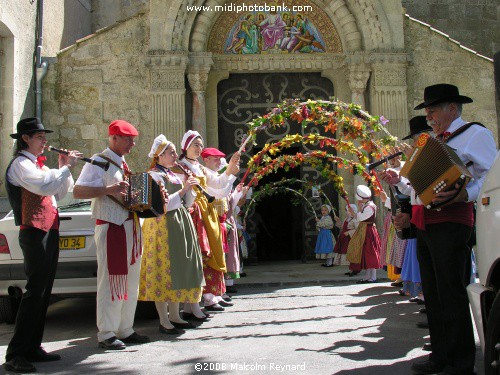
317,159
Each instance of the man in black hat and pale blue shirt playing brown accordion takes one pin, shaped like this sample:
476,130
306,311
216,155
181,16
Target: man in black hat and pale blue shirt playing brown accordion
442,235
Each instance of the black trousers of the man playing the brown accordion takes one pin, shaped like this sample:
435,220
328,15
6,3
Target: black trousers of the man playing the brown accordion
443,256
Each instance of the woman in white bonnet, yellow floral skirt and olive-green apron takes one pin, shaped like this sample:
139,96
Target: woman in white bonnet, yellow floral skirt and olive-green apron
171,269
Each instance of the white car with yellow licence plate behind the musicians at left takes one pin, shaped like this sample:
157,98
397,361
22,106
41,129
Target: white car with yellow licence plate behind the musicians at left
77,268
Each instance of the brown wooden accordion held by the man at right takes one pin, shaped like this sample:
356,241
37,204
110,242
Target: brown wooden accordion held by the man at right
434,167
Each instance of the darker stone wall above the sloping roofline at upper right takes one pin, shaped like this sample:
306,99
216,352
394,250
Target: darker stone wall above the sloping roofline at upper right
474,23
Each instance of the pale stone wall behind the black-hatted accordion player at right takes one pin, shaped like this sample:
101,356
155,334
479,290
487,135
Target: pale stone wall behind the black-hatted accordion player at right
436,59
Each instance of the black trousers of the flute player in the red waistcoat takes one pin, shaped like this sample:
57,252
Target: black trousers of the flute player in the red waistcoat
41,253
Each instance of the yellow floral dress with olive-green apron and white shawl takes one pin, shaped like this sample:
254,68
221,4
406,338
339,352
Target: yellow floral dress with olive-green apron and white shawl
171,268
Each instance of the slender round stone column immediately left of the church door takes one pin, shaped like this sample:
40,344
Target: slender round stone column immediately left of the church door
198,69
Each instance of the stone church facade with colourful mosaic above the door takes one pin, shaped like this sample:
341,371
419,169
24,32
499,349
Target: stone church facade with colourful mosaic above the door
166,68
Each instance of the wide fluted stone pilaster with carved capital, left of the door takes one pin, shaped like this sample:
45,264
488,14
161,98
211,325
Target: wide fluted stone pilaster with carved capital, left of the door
168,93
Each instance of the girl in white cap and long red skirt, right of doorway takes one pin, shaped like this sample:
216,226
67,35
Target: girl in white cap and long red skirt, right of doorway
366,235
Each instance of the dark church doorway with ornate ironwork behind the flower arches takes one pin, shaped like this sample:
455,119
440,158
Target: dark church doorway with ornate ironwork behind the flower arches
282,231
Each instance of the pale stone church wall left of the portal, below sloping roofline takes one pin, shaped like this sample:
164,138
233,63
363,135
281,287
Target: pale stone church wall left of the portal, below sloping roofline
98,80
